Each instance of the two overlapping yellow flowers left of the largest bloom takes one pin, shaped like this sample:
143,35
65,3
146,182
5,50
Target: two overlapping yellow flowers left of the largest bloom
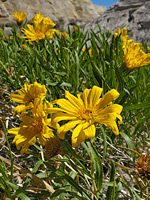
35,126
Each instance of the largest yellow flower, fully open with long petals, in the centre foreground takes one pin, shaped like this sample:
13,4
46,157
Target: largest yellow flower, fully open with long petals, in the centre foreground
83,111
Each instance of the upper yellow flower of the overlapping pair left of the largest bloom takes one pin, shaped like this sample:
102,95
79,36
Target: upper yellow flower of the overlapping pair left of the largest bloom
27,95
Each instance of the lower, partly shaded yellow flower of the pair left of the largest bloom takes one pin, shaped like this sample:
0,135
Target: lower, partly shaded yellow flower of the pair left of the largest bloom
32,128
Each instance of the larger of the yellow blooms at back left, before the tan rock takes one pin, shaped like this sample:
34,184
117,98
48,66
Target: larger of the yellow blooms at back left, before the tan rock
42,28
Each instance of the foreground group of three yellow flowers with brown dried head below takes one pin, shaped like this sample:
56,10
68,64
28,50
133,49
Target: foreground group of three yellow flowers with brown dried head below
79,113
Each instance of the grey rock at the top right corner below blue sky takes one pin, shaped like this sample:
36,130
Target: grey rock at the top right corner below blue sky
132,14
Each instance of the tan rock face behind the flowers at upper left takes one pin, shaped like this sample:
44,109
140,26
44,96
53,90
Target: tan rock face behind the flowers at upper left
63,13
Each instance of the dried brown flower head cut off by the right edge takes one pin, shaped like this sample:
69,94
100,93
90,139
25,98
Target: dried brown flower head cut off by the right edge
143,166
